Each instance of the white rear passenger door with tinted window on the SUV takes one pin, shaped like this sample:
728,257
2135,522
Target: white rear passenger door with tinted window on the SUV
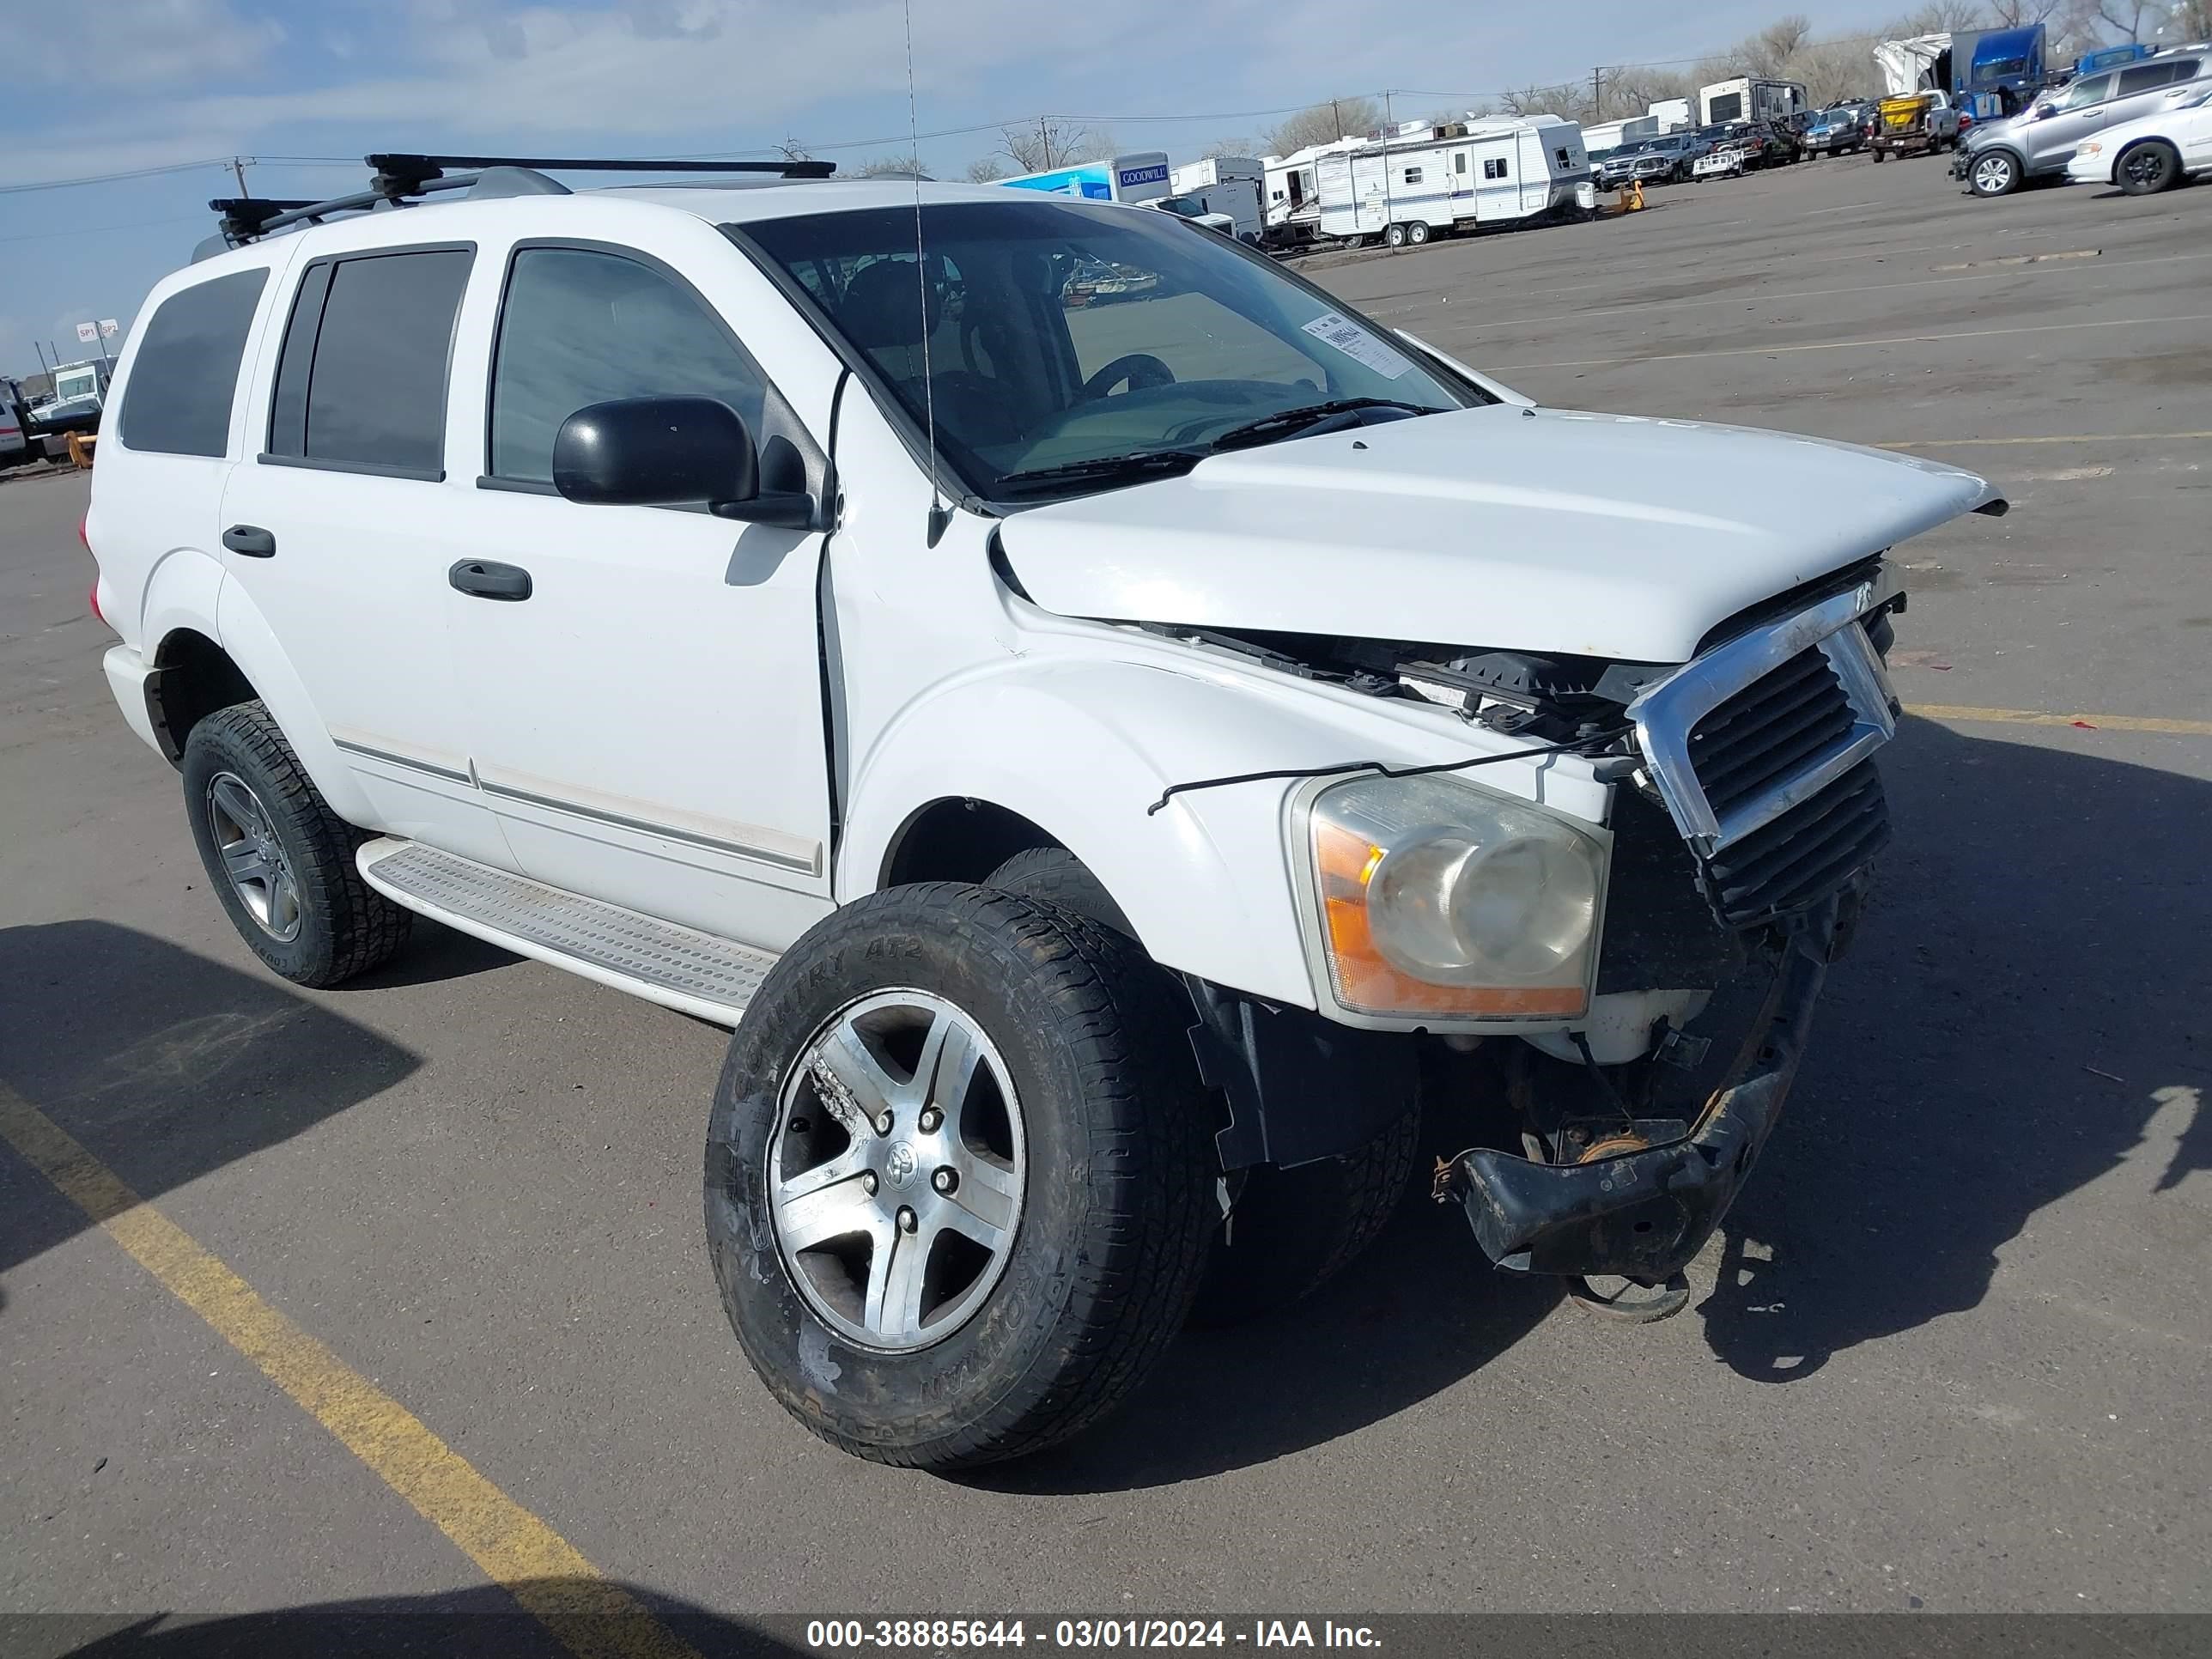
333,530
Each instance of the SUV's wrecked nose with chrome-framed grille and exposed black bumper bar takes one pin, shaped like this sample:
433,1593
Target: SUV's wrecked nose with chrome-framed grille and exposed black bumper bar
1762,755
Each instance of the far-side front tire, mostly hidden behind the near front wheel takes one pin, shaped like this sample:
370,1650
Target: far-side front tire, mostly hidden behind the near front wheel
1288,1231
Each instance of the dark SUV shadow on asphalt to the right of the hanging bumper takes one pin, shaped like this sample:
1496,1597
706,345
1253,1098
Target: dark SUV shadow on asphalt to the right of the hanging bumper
2023,1016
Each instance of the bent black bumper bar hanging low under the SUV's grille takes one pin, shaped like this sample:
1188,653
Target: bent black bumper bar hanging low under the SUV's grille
1645,1215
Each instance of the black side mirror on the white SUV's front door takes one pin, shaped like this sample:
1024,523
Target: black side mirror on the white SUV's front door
669,452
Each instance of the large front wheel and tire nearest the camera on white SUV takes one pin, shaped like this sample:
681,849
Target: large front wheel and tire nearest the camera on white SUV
1083,1131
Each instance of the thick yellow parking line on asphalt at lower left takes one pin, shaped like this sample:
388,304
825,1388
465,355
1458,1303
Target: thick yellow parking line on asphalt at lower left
530,1561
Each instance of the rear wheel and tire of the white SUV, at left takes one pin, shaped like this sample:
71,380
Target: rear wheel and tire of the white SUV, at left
278,857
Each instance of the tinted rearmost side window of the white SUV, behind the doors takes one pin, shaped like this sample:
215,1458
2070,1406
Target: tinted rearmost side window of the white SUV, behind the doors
187,371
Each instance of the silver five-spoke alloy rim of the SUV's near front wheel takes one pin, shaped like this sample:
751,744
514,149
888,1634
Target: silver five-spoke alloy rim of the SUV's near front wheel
897,1171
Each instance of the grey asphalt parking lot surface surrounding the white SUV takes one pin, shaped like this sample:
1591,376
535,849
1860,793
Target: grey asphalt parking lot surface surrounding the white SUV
1950,1353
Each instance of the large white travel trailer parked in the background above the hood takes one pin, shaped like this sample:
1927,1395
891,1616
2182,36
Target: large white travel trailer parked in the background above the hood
1446,178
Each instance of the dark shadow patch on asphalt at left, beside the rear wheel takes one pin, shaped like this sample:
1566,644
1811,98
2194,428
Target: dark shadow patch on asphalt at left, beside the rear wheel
163,1063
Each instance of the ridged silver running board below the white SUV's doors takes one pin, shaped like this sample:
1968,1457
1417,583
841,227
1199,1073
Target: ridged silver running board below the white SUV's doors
667,963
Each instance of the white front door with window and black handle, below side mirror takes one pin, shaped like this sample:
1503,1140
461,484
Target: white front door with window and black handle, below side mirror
649,720
